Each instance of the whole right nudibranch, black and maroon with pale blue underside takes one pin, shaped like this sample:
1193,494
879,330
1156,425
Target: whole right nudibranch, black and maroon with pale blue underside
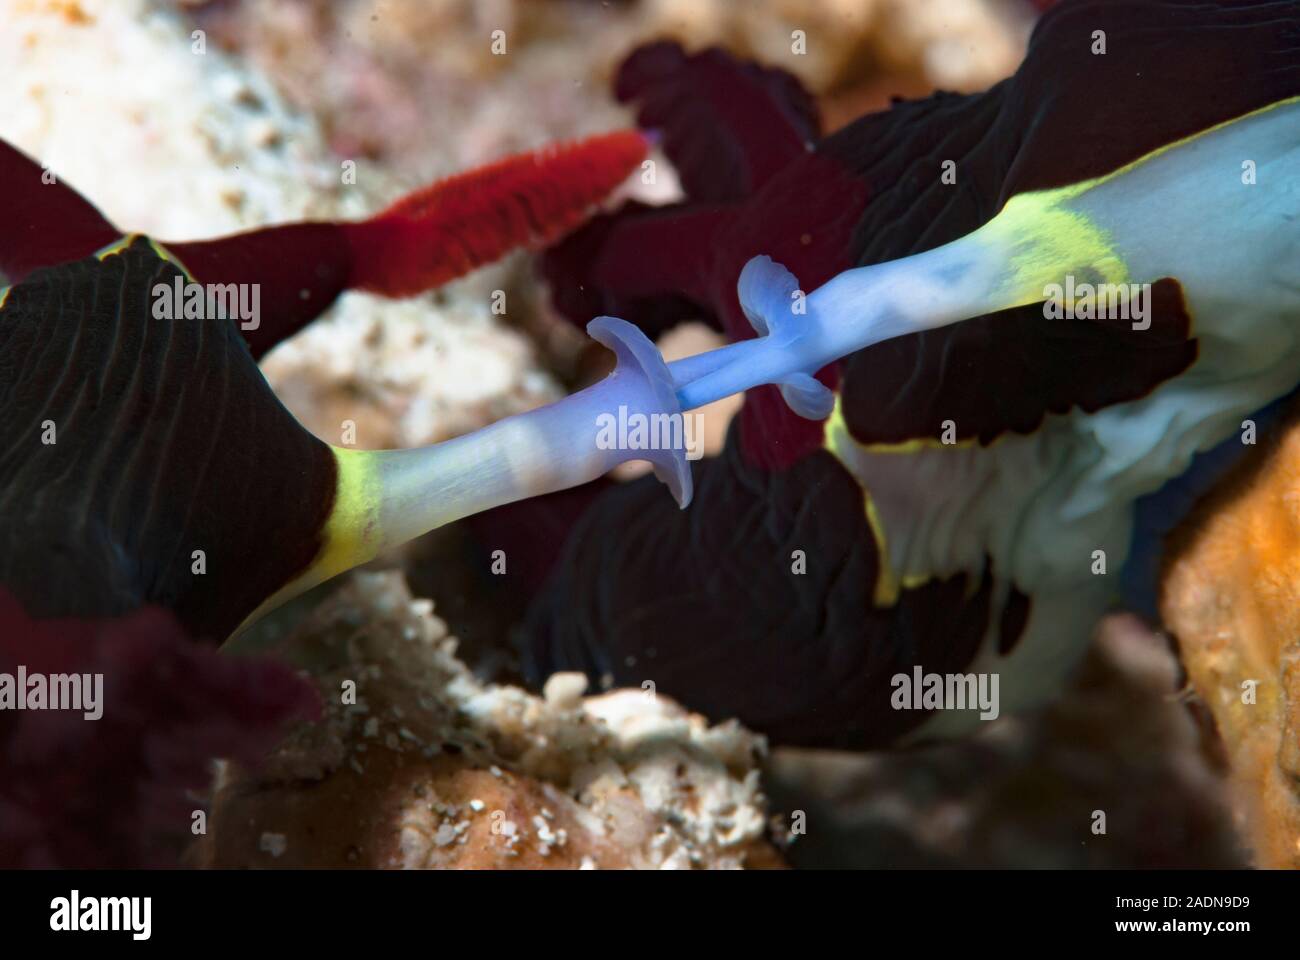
952,460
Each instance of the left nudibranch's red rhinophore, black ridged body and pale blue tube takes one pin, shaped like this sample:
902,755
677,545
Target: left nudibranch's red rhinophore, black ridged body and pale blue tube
149,464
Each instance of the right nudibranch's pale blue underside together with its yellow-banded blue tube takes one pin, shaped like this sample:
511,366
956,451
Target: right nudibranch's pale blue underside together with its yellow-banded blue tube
1068,492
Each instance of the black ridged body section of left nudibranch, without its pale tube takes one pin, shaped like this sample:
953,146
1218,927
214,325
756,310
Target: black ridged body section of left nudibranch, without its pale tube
148,461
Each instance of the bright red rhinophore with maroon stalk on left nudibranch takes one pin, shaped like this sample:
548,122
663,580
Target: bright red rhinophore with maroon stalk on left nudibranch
432,236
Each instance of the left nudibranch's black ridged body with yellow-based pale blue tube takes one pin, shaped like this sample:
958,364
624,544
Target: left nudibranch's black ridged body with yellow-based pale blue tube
174,477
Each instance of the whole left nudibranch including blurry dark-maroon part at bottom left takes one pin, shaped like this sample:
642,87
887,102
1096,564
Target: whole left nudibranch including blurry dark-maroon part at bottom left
155,492
